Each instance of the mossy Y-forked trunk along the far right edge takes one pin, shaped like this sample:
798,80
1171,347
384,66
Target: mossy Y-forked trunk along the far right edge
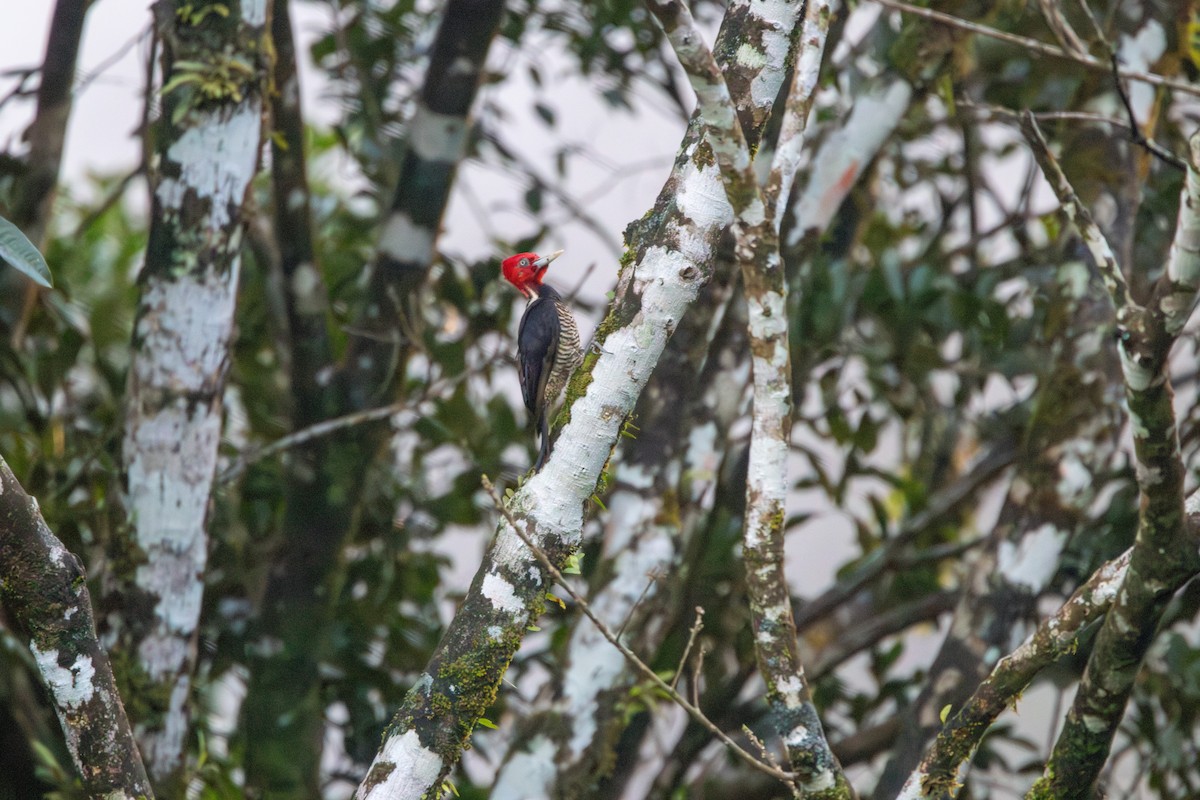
1165,554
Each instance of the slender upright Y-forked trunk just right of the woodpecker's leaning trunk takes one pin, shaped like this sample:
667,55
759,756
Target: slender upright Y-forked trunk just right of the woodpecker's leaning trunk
757,249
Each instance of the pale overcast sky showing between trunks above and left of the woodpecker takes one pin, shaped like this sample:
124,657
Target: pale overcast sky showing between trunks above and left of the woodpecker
633,153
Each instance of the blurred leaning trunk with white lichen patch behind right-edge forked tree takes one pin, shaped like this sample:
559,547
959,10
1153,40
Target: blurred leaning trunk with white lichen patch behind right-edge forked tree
1072,442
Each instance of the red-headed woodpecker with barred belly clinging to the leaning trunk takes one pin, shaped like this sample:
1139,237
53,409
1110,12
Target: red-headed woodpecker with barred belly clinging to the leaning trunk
548,341
